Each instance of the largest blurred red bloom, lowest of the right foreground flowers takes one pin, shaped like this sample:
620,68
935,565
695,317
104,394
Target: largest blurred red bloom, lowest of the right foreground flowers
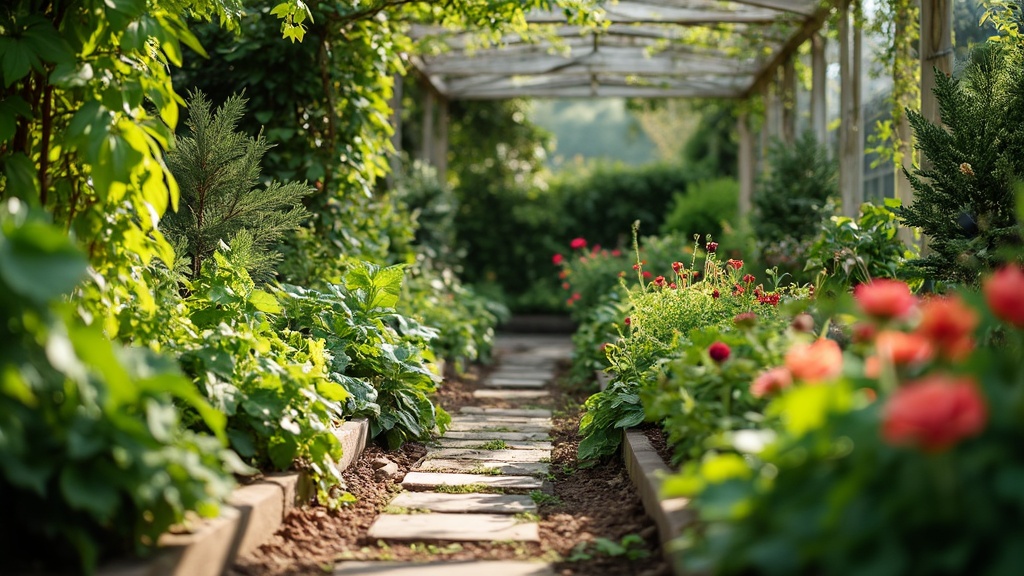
934,413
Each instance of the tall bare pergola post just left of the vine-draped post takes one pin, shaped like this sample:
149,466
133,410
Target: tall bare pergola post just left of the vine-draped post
851,160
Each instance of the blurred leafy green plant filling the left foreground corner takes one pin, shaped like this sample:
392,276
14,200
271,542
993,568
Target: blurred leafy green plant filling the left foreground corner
94,462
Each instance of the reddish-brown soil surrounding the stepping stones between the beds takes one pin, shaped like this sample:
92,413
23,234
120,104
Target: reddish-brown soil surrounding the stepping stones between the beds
591,512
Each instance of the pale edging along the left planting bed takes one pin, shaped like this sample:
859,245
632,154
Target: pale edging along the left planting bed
250,517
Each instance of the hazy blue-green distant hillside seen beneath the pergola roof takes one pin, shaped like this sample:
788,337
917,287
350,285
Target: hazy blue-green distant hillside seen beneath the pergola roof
593,129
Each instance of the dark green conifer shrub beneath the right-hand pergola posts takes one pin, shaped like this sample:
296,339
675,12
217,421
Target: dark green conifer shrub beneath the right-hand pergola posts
794,195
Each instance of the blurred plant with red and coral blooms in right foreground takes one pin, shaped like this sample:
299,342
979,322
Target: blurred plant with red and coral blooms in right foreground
903,455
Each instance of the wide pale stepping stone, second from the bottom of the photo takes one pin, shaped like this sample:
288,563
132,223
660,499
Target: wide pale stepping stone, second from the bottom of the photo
451,527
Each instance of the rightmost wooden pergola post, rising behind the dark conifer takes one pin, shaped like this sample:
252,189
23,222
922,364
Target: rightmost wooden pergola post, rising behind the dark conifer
936,53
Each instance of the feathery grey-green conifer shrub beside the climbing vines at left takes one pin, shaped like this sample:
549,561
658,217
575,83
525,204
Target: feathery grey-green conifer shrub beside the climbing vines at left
219,170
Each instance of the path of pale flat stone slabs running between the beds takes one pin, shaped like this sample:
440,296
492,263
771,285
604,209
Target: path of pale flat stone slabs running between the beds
476,482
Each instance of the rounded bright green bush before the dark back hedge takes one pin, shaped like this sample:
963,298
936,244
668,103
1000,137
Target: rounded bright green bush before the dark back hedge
703,210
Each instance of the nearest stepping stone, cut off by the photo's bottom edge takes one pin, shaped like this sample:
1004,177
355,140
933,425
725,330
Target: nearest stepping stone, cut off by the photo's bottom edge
453,568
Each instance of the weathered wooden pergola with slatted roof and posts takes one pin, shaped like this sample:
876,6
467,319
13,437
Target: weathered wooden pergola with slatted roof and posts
661,50
